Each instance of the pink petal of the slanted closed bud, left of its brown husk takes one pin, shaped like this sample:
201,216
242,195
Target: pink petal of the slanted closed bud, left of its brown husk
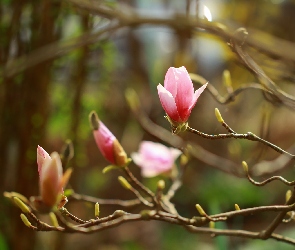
104,140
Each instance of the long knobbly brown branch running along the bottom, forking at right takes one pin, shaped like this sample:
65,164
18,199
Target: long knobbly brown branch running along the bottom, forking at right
119,217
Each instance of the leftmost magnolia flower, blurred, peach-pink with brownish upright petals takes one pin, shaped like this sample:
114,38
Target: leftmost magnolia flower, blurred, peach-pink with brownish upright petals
51,180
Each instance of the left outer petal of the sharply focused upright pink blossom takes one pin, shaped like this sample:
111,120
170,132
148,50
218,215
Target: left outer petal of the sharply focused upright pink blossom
168,103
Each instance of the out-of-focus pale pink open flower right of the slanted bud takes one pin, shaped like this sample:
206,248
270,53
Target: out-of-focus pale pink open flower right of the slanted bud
154,158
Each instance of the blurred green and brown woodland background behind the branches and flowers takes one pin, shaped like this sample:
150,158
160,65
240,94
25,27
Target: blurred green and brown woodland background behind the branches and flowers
51,79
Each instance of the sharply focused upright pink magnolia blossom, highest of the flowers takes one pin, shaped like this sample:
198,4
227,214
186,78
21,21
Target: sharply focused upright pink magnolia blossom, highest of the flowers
178,96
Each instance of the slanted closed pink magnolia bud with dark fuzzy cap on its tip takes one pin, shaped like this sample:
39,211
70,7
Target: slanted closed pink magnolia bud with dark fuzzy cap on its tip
107,143
